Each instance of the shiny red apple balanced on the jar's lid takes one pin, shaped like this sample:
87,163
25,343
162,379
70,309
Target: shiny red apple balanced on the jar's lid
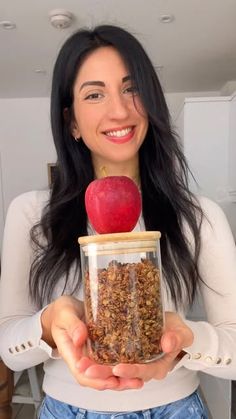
113,204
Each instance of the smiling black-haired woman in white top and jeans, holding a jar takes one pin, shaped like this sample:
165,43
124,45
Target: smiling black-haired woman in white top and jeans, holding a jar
108,111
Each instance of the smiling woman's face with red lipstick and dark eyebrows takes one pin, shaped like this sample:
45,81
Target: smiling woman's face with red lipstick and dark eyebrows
108,112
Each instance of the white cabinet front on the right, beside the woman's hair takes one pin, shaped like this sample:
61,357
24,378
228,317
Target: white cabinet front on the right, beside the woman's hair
206,136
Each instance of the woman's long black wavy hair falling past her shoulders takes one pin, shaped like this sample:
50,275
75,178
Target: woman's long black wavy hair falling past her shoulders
167,202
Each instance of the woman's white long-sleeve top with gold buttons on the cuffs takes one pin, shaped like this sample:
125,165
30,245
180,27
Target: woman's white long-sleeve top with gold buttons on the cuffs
213,350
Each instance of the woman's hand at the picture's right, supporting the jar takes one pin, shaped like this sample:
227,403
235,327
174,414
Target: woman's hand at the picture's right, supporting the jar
175,337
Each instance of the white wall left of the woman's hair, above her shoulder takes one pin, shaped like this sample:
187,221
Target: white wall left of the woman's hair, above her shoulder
26,146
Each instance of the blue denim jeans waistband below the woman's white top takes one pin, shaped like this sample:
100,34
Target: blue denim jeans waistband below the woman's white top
190,407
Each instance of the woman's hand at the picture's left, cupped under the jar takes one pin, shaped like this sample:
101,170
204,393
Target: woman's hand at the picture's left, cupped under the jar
63,328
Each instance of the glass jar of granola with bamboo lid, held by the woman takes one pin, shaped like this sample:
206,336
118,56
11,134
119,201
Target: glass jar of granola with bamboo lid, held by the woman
122,296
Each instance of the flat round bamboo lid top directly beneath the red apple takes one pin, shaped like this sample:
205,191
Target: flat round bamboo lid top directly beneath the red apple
119,237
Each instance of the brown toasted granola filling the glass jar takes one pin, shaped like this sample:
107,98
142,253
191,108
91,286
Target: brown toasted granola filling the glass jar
124,313
